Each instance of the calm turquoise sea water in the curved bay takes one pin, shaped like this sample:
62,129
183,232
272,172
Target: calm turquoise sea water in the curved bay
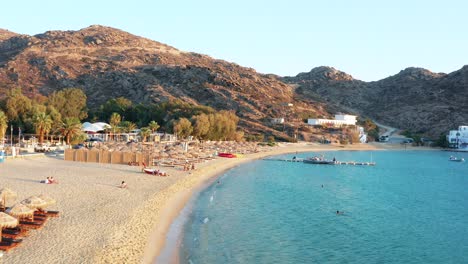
410,208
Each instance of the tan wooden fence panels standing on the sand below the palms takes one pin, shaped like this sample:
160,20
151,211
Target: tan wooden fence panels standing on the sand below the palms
104,156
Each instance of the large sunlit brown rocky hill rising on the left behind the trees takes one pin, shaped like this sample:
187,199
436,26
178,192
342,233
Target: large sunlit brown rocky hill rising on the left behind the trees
107,63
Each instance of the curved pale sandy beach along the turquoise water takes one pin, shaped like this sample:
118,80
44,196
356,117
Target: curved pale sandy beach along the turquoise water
101,223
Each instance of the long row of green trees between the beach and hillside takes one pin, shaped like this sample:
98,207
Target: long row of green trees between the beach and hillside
62,112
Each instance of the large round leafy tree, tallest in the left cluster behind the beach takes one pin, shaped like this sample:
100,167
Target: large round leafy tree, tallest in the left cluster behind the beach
70,102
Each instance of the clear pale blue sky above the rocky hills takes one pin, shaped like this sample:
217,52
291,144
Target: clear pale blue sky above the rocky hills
368,39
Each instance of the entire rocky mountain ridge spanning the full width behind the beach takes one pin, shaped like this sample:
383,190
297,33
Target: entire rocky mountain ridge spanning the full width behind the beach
106,63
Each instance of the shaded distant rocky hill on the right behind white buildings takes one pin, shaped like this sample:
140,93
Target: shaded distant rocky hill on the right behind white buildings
414,99
